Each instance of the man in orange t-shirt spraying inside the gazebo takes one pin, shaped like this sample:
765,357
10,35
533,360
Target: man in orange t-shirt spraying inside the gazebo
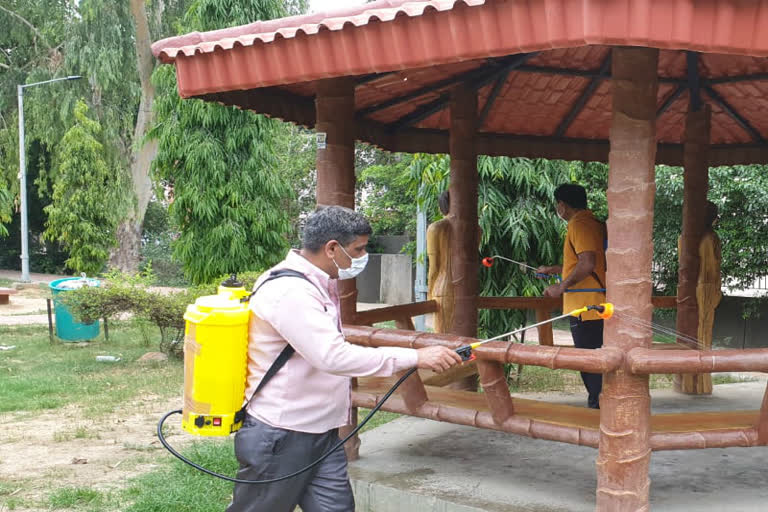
583,272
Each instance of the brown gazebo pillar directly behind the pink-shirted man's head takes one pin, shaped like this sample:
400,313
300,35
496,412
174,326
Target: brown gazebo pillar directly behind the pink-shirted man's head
335,121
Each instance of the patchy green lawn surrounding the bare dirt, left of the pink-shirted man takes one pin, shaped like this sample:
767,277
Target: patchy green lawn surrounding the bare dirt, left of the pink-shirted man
38,378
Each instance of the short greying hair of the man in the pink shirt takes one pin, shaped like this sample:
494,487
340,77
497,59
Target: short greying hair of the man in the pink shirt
333,223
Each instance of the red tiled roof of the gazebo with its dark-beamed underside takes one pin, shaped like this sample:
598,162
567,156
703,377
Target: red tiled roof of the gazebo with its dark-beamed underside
534,100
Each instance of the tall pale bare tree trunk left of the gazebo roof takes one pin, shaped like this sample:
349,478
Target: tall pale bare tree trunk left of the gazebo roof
126,255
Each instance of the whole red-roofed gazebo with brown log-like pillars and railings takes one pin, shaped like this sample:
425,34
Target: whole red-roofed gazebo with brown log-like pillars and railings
634,84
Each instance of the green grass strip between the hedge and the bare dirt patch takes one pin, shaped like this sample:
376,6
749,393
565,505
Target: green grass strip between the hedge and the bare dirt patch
39,376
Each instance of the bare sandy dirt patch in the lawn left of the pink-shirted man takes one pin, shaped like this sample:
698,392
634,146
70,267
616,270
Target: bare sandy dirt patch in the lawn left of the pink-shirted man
41,451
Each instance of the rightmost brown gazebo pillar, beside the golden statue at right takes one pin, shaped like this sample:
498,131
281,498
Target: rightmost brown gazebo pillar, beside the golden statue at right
695,188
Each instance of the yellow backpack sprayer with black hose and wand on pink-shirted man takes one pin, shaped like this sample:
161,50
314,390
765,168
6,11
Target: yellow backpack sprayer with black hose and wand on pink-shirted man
215,367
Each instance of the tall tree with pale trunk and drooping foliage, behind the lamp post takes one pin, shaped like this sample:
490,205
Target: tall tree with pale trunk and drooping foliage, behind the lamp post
108,43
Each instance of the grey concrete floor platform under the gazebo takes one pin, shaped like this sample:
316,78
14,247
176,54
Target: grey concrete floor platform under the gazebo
420,465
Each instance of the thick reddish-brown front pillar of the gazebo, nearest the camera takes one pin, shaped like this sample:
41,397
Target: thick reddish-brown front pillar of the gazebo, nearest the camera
624,452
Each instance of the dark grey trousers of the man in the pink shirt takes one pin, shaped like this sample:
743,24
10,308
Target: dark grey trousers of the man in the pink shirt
266,452
